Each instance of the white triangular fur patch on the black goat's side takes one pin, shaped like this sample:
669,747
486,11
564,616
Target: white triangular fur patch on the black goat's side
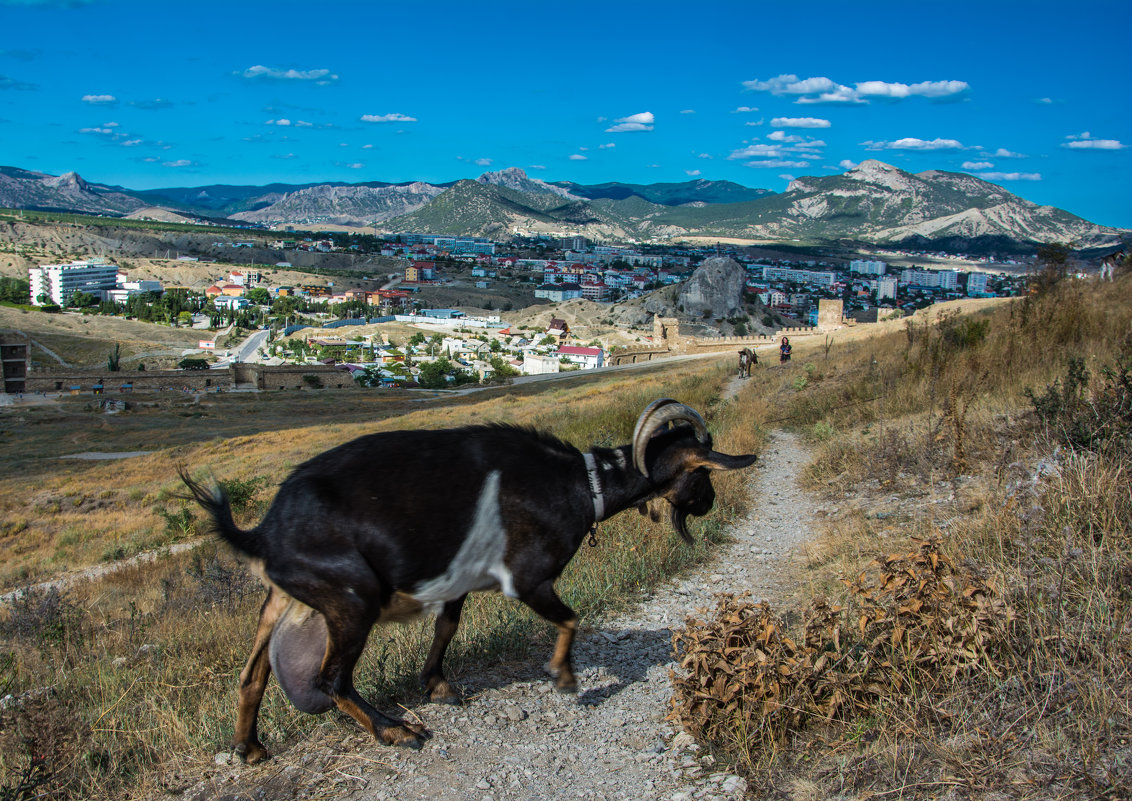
479,563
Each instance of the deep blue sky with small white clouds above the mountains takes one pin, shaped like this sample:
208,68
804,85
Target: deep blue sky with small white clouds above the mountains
147,94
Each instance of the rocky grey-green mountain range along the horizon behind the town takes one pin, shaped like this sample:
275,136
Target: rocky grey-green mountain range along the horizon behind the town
873,203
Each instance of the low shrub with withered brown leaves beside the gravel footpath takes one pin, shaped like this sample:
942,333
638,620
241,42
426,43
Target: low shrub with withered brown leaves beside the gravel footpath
917,622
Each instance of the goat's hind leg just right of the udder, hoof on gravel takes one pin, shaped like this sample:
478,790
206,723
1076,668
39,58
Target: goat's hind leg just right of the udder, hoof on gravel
348,632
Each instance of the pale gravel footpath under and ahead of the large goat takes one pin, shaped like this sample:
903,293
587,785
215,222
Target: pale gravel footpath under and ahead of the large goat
518,739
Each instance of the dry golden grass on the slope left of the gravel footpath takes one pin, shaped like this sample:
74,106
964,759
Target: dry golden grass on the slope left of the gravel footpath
126,684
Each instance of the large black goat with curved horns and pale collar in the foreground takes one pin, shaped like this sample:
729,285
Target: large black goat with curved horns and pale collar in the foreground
395,524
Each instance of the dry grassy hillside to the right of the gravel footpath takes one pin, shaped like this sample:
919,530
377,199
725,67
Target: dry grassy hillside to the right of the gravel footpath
931,435
